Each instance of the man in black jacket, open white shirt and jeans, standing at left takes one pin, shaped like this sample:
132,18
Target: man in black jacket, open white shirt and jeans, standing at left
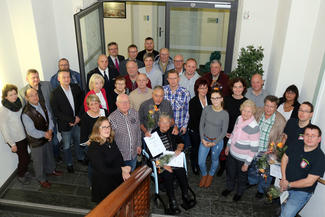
66,102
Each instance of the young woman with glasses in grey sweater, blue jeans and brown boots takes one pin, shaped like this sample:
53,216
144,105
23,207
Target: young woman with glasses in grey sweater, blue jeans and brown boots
213,128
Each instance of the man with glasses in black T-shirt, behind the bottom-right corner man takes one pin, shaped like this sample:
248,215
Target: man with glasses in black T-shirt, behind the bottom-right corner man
294,129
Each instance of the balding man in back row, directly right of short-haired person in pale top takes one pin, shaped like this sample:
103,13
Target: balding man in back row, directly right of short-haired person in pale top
164,63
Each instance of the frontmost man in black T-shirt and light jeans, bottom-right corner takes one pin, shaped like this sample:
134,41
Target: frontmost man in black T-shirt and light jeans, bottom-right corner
301,166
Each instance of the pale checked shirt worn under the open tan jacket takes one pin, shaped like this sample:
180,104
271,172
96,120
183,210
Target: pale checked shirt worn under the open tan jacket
265,129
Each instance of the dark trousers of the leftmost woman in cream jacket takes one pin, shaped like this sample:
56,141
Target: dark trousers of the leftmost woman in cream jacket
23,157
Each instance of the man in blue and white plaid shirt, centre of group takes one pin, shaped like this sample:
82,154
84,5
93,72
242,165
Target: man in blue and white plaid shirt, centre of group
179,98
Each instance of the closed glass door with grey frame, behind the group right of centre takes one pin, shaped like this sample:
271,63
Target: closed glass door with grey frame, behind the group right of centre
196,30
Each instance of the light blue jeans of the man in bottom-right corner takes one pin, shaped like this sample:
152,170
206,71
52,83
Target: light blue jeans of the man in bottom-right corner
296,201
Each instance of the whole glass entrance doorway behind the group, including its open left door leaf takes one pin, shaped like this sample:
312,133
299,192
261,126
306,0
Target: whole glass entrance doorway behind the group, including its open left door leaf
191,28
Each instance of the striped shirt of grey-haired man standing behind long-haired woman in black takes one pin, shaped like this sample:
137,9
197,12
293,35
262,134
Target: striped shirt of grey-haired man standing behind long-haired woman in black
127,132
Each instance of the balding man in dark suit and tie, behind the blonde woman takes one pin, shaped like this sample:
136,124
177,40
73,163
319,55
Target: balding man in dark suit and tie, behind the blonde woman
109,74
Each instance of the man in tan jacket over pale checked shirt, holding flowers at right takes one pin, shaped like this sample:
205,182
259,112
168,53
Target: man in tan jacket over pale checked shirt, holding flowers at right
271,124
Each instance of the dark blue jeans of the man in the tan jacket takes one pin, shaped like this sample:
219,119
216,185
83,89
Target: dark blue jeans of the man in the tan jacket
255,178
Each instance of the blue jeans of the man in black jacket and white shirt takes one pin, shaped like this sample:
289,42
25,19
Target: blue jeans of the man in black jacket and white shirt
73,134
